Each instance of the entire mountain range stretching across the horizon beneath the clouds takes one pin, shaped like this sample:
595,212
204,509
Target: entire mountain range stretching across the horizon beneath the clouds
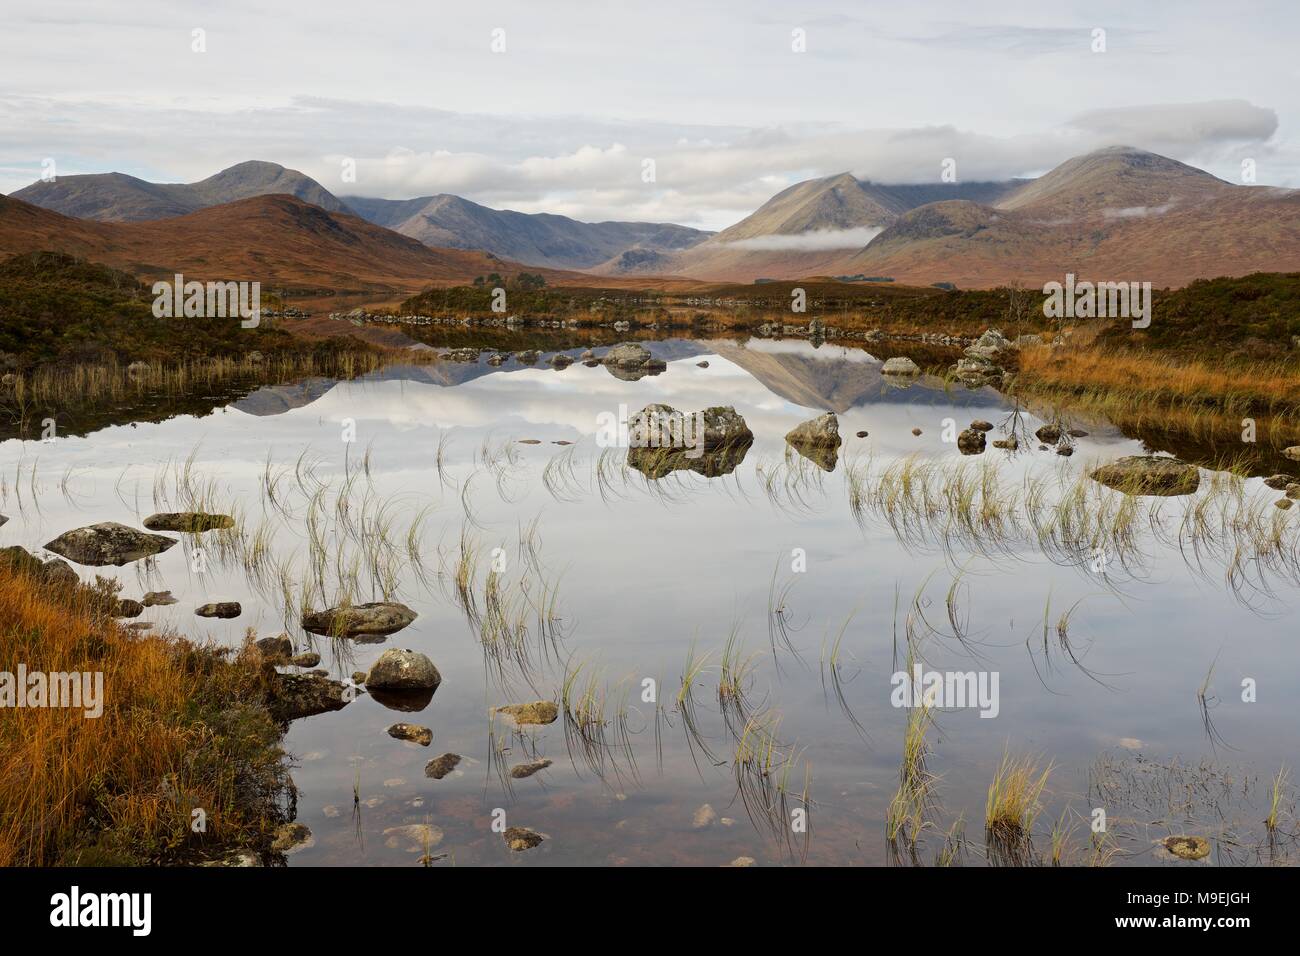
1115,214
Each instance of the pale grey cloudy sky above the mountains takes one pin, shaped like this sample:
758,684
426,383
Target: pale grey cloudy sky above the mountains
565,116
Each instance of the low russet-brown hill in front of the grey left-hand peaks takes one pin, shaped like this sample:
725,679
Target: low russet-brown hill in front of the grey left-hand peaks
278,240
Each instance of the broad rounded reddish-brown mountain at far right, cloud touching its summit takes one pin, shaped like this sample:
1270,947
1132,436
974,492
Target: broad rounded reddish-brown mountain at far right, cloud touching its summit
1113,215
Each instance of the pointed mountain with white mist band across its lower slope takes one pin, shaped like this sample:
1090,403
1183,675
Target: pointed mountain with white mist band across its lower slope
812,228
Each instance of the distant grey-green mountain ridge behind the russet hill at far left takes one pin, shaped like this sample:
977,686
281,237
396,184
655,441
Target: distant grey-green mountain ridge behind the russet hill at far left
120,198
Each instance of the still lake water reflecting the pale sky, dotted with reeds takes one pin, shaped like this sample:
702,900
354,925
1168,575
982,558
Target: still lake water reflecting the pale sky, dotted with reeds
1125,672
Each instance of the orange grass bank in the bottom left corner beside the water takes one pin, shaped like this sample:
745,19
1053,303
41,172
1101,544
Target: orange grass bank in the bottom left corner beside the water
183,728
